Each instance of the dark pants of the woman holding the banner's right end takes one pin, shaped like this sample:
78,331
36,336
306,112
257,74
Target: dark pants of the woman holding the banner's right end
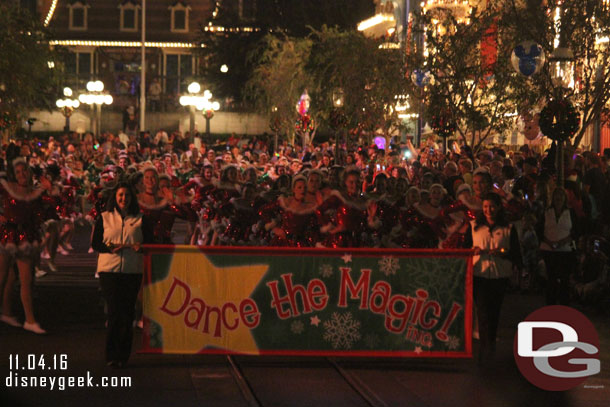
488,296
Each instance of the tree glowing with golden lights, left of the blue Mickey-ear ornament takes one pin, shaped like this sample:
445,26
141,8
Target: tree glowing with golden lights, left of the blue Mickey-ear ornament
474,89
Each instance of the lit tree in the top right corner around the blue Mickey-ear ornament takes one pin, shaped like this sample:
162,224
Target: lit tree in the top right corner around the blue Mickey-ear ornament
584,26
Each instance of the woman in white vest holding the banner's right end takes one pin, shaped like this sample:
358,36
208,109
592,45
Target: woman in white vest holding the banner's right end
496,251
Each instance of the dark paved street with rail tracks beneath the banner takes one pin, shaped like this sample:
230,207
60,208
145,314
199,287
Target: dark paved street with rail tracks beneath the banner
69,307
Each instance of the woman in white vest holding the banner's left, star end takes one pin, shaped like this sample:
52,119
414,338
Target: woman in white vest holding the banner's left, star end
117,236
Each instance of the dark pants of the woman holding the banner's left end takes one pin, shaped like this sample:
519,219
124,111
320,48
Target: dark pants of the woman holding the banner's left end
120,290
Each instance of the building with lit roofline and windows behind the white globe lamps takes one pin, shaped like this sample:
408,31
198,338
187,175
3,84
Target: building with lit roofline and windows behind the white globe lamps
102,40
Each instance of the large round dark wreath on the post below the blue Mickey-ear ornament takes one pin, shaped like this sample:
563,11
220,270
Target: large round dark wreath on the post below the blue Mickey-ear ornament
559,120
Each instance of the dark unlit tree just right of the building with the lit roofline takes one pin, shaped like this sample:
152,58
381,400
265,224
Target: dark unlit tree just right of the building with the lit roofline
237,48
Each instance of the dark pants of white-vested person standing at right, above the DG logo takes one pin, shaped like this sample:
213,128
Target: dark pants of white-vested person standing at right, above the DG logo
559,265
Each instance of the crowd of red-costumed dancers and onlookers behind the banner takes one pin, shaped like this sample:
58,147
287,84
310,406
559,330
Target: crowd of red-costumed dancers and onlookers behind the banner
244,194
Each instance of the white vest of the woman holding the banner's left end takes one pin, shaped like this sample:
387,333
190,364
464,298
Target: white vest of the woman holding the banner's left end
118,230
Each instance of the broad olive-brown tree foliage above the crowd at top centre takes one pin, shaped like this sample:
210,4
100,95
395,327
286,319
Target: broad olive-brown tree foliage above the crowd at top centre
370,77
